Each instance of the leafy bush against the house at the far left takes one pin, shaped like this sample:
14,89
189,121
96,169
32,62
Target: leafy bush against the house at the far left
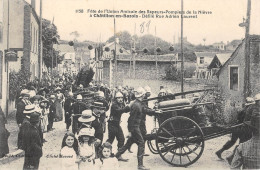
16,81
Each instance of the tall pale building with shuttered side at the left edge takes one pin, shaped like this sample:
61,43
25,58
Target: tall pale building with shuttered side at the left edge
19,32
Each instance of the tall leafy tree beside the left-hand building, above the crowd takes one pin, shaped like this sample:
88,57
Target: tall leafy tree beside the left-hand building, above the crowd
50,36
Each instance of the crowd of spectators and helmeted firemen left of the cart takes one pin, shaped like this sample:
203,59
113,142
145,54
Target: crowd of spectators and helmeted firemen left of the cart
84,111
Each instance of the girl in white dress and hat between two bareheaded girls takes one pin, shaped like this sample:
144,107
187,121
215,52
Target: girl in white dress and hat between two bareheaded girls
86,148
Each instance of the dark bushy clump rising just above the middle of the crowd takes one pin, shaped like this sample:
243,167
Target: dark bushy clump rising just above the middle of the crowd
85,76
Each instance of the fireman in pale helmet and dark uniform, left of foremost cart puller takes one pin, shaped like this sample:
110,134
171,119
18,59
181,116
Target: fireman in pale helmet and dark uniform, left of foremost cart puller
114,129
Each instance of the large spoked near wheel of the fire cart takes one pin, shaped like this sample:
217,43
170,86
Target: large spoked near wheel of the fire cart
180,141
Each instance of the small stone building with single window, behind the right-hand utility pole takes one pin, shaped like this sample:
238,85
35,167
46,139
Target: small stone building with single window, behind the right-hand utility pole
231,78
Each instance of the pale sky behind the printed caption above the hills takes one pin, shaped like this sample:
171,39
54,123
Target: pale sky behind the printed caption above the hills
220,25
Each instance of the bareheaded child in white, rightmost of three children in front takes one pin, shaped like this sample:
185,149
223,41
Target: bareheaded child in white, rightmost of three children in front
107,159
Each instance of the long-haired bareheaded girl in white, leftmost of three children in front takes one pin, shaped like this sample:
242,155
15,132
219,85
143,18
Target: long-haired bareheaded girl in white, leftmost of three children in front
69,151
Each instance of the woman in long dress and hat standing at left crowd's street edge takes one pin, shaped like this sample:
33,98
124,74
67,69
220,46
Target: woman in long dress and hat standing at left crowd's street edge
59,104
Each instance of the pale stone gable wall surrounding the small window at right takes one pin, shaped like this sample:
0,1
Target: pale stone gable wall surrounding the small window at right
232,100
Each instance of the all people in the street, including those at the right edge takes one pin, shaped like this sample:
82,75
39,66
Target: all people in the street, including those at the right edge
85,111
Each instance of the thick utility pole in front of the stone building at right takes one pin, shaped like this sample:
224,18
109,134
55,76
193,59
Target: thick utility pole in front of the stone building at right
247,88
